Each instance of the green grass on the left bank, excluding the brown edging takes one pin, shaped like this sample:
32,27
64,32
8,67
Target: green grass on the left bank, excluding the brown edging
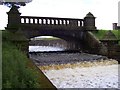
15,73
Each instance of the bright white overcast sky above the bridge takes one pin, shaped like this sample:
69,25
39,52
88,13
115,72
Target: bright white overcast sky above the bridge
105,11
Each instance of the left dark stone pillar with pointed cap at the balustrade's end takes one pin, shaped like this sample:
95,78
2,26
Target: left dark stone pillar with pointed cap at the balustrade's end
14,18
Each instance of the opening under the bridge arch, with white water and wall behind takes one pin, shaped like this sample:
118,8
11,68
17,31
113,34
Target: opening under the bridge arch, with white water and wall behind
53,44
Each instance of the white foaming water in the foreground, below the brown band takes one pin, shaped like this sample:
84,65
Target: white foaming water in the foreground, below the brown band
89,77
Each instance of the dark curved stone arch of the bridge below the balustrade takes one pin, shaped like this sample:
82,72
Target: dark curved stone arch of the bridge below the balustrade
74,38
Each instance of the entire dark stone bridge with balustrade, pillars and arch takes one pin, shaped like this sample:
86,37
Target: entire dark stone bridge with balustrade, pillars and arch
74,31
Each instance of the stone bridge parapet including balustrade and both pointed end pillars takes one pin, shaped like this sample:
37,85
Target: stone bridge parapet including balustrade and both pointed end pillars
15,22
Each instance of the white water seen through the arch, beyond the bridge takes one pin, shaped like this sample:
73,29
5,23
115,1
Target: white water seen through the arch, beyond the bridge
44,48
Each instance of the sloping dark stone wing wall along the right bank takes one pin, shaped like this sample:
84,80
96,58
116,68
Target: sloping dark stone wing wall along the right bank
95,46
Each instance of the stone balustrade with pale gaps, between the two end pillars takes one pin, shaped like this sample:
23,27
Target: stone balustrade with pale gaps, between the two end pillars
52,21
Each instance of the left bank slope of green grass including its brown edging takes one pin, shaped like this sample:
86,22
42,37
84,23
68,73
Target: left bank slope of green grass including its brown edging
17,70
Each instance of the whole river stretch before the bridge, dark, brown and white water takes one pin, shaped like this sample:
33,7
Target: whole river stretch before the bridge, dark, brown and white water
77,70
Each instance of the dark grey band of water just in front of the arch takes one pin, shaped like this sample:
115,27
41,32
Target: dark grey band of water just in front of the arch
63,58
